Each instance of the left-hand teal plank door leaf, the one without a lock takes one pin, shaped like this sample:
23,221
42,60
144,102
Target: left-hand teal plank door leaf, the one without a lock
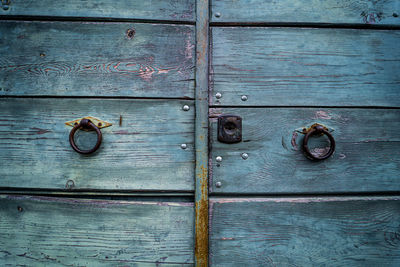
130,64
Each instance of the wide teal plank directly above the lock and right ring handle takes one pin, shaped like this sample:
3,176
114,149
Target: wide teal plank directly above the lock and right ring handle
305,67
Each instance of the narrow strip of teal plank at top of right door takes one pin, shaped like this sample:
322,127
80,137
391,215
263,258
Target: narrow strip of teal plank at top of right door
307,11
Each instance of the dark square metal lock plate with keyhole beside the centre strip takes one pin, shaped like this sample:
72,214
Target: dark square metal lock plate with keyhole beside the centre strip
229,129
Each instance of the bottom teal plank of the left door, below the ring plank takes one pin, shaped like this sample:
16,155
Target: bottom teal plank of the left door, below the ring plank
76,232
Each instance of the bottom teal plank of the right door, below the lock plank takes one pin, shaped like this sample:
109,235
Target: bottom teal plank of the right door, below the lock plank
305,232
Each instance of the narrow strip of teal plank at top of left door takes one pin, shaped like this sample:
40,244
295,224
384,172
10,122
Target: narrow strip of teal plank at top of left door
181,10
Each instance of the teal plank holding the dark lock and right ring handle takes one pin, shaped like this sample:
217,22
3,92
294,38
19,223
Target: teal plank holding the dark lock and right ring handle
367,157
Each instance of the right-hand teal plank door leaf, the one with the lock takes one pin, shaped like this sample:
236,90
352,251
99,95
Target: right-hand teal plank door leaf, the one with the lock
284,66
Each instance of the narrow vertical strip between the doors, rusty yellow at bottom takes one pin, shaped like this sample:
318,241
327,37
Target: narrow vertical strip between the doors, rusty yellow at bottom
201,136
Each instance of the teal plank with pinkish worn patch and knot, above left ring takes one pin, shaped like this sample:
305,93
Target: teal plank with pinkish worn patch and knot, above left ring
96,59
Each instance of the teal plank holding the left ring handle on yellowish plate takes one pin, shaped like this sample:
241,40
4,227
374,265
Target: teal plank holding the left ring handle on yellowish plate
138,151
